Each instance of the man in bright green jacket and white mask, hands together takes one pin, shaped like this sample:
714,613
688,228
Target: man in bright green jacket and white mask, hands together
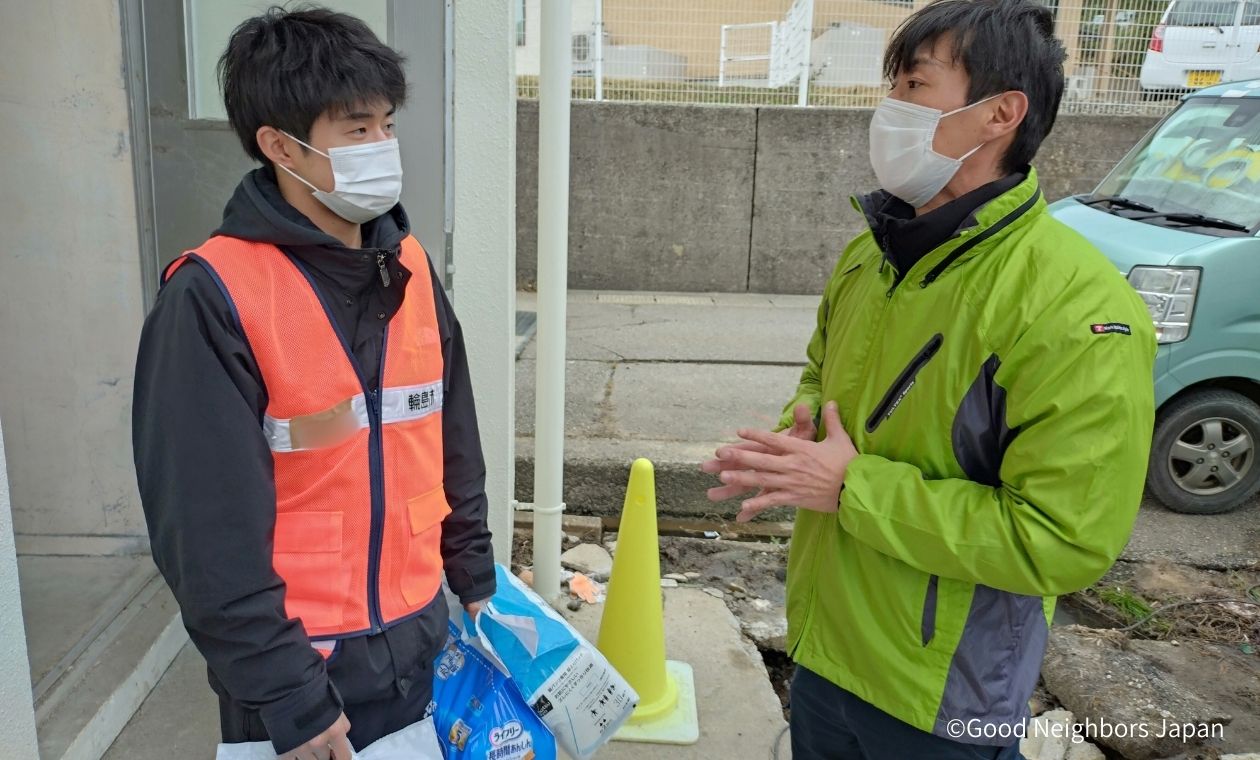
982,377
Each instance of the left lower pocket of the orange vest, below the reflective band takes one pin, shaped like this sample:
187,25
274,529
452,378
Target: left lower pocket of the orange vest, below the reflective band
307,554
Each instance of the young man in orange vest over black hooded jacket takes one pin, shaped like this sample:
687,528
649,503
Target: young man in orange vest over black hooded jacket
306,437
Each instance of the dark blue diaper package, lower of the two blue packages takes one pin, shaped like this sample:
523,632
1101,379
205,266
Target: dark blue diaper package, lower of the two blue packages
478,711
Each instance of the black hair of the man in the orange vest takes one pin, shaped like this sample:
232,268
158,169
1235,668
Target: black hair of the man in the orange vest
285,69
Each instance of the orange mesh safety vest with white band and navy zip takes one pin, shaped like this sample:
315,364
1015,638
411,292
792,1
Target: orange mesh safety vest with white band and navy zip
360,498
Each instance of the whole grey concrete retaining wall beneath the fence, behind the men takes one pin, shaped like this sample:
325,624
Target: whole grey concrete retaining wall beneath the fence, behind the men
702,199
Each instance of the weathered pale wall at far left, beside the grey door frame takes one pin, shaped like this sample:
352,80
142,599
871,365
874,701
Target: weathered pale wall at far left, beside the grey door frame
71,303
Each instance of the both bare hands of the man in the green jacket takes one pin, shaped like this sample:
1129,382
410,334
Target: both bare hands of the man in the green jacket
791,472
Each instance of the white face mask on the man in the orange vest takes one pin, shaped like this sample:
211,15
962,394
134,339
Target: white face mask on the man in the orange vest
367,180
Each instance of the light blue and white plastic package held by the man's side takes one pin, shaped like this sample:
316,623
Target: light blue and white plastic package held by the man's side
568,681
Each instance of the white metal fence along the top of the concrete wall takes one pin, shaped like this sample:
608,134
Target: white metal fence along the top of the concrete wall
755,52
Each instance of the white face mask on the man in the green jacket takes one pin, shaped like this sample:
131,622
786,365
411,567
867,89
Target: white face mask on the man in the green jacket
903,156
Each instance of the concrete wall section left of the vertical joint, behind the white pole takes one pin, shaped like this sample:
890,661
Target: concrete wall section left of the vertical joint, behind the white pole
660,195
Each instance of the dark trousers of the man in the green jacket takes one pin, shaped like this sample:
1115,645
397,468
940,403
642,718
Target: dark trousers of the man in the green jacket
832,724
